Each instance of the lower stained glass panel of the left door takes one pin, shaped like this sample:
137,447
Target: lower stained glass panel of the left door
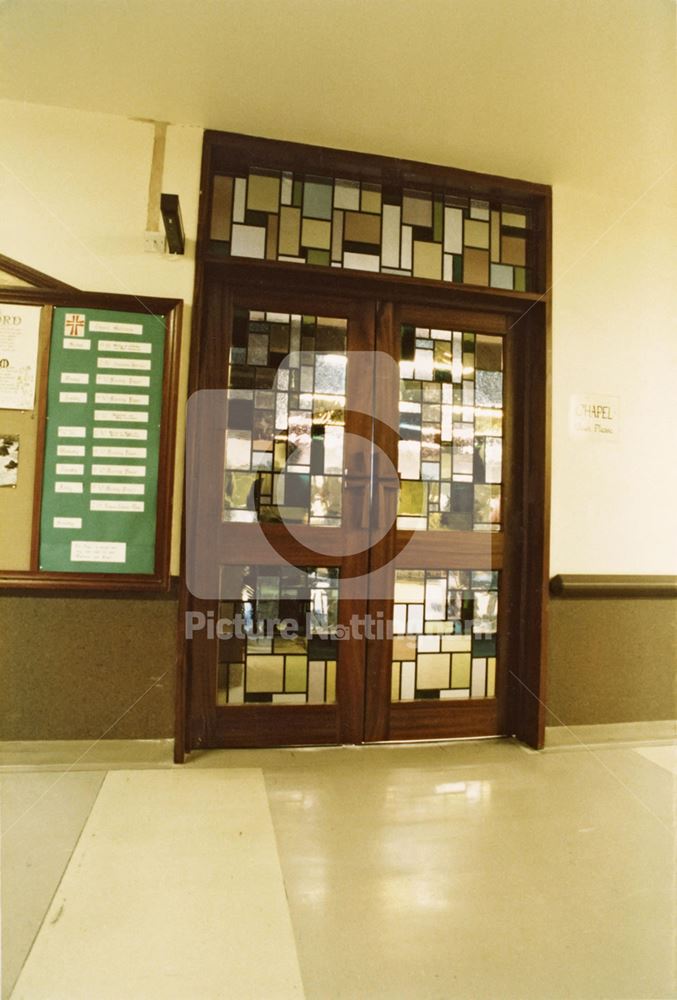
277,641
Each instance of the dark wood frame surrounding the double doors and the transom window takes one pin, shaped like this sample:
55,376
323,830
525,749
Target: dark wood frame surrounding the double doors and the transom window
525,580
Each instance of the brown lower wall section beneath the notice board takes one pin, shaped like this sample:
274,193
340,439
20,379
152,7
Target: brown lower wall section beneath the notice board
81,667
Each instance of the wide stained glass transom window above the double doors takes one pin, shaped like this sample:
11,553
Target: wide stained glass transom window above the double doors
335,222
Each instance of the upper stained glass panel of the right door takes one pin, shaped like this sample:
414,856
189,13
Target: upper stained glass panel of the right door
450,453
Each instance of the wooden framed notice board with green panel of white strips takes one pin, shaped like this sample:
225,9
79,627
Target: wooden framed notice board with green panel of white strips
88,396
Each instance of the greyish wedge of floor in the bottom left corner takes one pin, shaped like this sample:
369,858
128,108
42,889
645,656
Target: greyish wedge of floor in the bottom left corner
41,817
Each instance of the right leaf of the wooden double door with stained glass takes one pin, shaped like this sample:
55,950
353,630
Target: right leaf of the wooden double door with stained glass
440,672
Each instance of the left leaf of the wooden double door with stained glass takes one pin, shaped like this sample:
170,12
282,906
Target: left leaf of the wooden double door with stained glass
290,478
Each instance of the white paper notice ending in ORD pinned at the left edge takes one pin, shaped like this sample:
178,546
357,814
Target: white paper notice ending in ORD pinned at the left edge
19,329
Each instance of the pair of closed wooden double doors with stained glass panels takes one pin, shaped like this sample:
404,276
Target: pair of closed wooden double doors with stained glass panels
354,521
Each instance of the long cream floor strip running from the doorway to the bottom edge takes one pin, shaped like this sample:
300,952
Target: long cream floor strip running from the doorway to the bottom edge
174,891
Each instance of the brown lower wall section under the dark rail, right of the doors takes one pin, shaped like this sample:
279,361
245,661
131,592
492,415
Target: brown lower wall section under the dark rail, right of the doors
612,660
